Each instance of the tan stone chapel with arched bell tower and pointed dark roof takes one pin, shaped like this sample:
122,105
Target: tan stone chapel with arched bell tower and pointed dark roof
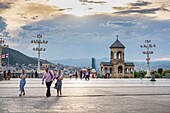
117,67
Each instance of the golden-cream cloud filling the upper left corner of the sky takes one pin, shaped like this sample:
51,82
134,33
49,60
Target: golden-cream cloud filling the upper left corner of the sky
21,13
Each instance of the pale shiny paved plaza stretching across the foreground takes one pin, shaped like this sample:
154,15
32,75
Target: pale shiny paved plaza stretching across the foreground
94,96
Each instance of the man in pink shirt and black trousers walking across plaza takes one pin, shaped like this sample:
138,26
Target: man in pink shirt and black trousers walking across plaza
48,79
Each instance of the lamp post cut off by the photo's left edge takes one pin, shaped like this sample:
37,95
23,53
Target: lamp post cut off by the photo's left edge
2,45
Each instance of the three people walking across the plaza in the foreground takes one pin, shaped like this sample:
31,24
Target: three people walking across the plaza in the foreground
48,78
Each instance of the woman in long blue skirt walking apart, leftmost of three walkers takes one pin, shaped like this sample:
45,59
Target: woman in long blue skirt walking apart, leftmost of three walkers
22,82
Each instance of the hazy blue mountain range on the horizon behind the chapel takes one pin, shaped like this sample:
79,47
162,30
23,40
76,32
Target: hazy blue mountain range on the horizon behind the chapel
86,62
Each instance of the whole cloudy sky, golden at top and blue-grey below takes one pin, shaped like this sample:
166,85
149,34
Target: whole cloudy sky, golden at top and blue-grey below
87,28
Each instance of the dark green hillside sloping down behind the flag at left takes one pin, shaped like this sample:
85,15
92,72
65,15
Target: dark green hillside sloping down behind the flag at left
18,57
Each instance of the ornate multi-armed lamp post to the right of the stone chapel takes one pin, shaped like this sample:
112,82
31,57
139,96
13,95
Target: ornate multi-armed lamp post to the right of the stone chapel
147,45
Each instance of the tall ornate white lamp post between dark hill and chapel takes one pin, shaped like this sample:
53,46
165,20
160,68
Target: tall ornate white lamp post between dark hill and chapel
39,48
